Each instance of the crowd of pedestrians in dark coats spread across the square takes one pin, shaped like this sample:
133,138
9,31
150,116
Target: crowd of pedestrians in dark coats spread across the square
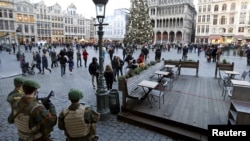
115,64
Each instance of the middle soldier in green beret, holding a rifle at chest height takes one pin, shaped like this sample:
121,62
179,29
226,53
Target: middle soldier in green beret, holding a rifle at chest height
33,121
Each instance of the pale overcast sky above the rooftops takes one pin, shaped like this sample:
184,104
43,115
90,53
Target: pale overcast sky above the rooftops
87,7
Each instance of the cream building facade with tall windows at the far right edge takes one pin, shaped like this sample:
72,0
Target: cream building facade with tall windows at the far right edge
223,21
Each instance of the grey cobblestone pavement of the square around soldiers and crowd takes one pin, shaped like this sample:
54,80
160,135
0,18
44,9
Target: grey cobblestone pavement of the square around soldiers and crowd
110,130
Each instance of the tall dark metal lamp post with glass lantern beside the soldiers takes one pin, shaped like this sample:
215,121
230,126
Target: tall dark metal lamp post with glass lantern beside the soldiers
102,98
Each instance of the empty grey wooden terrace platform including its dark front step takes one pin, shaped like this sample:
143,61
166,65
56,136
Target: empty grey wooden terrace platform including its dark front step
192,103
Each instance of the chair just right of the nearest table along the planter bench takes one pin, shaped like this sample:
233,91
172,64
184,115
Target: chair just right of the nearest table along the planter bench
159,93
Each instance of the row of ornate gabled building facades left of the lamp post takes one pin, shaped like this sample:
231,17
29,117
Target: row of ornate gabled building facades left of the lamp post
39,22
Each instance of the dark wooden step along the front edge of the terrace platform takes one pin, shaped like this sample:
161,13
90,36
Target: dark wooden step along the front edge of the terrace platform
174,130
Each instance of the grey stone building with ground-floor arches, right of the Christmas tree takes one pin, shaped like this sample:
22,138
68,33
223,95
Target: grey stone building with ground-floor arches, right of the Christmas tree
173,20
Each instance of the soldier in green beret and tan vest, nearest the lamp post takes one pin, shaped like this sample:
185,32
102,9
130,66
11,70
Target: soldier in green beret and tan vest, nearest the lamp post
78,120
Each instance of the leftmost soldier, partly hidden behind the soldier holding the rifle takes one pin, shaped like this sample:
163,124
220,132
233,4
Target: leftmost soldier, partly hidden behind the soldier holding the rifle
15,95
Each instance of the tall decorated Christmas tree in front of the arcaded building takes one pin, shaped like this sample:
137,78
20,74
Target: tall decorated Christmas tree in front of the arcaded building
139,29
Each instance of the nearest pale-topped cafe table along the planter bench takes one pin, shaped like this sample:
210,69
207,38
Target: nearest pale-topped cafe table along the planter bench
150,85
